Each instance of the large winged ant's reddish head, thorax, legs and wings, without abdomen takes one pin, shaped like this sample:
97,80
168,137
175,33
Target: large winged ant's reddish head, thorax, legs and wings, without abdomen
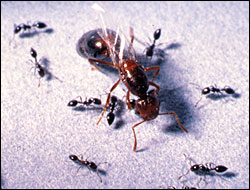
132,74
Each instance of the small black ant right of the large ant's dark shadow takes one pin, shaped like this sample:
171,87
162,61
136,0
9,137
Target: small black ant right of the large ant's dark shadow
214,89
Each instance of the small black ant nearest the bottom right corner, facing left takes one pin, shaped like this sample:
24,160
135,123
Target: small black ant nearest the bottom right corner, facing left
203,169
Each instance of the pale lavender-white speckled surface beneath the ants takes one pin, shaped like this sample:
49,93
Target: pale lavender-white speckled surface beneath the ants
39,131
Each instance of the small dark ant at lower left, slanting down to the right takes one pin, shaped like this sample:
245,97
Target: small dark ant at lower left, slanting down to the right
89,164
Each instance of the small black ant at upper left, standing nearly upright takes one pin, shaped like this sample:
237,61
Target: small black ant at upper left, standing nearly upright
42,71
